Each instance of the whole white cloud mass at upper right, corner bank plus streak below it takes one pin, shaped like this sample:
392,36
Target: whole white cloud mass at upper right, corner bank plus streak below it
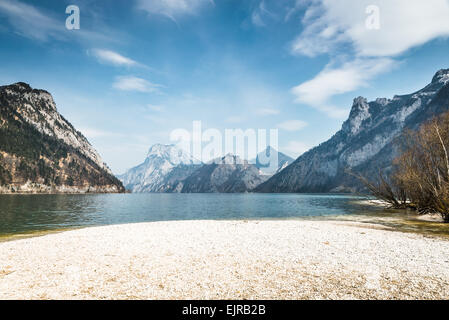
366,52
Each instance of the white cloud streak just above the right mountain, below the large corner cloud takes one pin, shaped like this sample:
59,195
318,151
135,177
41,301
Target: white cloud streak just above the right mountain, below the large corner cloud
333,81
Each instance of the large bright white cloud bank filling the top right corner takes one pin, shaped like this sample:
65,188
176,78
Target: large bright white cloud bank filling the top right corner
404,24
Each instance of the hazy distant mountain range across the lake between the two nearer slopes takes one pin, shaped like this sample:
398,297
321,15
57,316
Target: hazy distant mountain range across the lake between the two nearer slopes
168,169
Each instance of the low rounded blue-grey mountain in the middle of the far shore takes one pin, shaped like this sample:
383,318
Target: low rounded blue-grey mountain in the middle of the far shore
229,174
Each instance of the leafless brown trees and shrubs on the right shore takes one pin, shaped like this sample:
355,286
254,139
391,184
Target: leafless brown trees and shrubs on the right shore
420,179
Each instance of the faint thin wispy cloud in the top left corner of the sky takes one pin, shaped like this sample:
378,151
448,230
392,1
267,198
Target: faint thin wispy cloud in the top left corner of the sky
37,24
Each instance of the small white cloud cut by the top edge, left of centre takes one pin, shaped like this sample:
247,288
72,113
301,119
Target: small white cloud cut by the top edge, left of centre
171,8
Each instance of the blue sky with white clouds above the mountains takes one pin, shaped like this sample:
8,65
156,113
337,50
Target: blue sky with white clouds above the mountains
138,69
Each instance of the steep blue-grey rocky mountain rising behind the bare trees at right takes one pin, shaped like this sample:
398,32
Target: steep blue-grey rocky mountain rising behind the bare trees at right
366,143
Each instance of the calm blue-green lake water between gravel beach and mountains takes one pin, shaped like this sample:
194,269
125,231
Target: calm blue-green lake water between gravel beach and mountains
23,214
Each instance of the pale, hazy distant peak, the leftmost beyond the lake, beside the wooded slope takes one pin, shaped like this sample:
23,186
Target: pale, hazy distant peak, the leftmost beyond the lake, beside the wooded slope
163,170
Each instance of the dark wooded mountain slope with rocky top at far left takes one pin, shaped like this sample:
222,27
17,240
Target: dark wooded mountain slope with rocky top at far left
40,151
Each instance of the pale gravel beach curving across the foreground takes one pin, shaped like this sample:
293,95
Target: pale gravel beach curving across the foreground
226,260
